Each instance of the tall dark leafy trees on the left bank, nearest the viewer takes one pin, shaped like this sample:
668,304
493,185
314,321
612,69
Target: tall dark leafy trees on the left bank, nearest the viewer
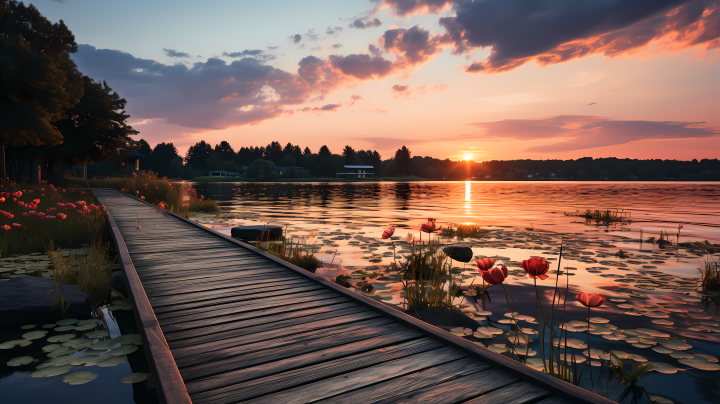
49,111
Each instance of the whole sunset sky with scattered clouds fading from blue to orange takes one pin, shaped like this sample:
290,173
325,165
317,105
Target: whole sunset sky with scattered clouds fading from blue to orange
494,79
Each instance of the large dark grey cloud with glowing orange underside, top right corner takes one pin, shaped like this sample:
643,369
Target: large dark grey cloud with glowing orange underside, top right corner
553,31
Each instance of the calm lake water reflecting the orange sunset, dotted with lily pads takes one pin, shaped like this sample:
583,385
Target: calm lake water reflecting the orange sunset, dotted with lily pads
654,312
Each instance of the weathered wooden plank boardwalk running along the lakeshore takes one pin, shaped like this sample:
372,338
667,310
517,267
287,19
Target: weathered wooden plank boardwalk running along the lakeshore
228,323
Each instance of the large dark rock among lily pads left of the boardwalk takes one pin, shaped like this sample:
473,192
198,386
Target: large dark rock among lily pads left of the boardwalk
28,299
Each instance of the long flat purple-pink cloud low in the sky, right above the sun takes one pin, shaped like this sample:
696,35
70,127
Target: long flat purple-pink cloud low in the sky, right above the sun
586,132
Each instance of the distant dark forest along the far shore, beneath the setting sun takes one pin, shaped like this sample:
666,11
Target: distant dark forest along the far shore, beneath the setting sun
260,163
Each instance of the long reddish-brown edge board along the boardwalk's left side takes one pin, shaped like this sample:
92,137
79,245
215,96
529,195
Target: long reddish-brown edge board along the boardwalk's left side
169,384
